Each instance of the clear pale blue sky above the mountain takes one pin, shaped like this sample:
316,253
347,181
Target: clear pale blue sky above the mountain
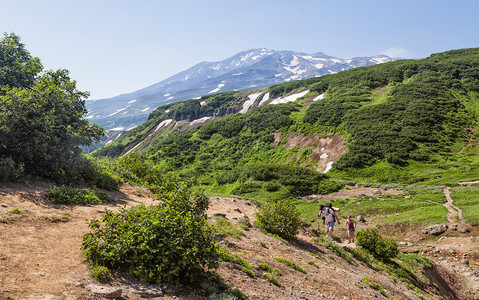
113,47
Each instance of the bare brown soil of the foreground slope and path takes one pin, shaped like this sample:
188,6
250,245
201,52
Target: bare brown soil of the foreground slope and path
40,256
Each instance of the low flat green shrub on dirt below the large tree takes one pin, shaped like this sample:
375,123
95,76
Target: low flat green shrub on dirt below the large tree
68,195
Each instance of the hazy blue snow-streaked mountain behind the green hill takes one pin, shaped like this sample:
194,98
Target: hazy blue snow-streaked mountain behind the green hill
256,68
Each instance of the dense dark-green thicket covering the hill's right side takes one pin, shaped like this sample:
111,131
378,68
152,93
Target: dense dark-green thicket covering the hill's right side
423,113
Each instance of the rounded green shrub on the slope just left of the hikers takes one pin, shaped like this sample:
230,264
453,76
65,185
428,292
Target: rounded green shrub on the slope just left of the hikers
280,218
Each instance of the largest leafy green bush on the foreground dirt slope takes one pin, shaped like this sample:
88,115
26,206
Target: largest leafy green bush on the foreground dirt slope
158,243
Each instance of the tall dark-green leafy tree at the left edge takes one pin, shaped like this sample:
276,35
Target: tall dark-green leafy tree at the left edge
41,116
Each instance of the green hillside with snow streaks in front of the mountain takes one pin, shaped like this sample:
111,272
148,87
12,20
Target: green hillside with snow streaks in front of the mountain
402,121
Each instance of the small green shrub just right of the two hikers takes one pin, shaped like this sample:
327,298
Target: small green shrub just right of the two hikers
382,248
